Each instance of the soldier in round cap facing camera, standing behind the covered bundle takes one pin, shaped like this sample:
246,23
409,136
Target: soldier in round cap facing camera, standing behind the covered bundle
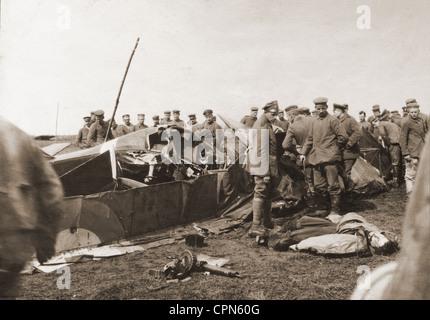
323,146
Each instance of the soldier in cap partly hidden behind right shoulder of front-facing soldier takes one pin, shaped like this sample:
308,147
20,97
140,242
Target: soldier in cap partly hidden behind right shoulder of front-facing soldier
352,149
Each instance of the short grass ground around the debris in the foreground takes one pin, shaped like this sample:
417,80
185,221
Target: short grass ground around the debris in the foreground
267,274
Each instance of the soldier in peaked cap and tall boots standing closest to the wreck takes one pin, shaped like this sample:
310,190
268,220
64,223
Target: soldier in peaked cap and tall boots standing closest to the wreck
264,181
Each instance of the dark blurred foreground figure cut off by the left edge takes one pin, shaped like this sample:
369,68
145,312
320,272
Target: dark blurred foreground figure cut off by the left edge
31,198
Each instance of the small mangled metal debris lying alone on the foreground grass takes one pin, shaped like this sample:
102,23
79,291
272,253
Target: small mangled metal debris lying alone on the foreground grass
179,269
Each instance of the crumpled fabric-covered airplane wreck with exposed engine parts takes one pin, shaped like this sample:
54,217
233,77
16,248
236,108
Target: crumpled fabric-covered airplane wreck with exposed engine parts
139,183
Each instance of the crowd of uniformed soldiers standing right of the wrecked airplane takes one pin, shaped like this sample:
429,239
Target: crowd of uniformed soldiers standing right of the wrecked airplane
327,146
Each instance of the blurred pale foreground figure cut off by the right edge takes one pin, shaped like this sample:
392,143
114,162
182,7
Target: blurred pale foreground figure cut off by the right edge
408,278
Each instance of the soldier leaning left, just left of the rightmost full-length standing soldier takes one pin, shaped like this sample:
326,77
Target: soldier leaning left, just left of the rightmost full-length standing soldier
390,133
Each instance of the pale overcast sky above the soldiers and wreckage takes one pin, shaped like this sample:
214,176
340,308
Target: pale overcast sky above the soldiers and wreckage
227,55
